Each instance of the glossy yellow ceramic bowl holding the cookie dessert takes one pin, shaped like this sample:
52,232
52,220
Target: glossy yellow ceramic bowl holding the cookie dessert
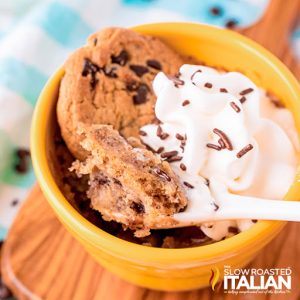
171,269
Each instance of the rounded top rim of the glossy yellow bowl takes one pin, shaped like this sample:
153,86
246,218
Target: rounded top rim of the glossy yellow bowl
110,243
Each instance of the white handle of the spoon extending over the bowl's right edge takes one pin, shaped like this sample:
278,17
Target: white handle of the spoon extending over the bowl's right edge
253,208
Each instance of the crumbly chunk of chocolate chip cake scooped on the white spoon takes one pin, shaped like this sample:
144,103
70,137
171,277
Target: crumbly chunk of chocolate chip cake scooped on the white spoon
127,184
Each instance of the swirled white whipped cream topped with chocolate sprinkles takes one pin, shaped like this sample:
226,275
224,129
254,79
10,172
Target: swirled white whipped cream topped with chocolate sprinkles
220,132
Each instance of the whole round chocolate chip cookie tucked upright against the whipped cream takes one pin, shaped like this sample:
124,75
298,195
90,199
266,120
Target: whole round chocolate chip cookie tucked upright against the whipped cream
109,81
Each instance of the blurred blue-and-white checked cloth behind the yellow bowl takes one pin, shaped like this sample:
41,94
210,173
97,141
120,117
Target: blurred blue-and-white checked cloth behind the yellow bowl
36,36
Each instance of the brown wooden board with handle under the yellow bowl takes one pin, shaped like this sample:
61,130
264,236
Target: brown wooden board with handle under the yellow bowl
41,260
